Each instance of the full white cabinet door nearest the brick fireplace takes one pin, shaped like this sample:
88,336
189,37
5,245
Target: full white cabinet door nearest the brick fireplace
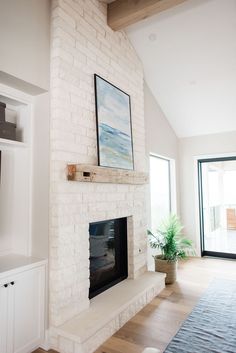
29,310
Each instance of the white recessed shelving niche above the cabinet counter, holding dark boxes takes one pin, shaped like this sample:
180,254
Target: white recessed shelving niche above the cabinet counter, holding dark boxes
15,182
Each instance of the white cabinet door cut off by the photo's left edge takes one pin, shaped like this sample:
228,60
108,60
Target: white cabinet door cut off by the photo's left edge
3,317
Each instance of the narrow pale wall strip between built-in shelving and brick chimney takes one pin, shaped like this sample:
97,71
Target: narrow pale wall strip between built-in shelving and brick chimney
40,207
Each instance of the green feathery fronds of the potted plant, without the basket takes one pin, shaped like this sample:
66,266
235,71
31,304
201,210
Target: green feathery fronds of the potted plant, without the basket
170,241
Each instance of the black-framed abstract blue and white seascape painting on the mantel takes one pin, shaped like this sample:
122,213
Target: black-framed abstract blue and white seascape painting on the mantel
114,133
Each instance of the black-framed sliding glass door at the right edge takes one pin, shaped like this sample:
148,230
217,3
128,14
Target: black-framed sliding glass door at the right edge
217,191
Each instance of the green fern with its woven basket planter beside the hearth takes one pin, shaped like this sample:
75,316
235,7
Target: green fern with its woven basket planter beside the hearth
173,247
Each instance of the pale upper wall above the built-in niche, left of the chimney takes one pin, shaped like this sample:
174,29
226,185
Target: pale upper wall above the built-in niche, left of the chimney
25,39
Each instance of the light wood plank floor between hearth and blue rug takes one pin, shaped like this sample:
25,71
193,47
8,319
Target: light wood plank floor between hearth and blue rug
157,323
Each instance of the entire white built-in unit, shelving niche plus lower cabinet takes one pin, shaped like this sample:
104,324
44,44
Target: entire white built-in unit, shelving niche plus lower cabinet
22,277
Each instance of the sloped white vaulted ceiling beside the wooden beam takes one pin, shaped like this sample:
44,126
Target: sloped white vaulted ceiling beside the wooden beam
189,57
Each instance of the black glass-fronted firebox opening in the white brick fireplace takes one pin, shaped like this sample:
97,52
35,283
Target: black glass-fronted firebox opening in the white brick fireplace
108,254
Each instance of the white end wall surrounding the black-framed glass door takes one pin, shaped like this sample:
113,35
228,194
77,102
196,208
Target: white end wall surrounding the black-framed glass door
189,148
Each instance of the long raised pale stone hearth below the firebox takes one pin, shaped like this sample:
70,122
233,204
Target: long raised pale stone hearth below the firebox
107,313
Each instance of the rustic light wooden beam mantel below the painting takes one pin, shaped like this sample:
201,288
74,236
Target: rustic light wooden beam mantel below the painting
96,174
